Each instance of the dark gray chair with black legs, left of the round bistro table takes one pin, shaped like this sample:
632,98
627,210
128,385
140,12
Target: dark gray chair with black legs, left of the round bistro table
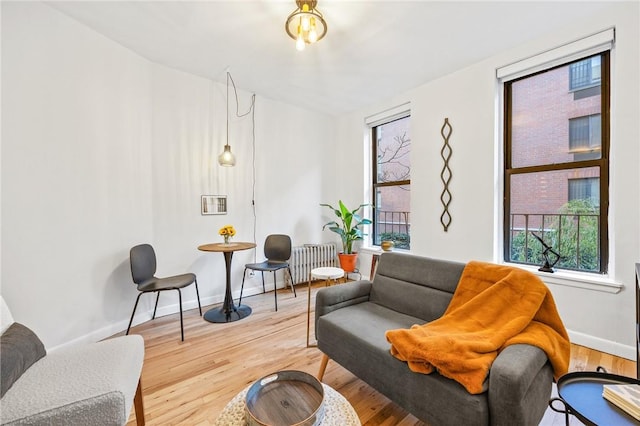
143,269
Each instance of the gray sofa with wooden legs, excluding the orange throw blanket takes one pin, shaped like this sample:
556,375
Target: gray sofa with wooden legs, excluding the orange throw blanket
351,321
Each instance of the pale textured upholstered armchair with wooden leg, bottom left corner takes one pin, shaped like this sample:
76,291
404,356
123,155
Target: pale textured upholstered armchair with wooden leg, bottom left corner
85,384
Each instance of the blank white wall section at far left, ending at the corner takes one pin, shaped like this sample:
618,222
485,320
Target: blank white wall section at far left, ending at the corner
76,192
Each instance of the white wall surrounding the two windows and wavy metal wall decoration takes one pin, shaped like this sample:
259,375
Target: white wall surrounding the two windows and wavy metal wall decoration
468,98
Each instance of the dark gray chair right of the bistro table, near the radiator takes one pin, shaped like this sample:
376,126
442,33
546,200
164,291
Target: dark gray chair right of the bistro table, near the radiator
277,250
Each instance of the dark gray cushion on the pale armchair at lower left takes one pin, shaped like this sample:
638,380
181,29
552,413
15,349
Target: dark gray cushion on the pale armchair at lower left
19,349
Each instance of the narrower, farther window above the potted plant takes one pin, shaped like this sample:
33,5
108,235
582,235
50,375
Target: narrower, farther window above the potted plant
392,182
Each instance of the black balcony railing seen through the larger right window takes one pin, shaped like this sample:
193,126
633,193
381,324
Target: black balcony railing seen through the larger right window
575,236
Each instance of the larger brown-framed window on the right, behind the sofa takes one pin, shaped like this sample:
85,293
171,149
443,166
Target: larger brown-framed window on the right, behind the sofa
556,165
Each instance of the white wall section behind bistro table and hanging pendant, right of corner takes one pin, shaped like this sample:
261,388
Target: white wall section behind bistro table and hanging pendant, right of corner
289,176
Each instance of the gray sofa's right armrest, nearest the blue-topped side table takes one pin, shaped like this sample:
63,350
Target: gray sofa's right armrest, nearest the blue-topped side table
519,385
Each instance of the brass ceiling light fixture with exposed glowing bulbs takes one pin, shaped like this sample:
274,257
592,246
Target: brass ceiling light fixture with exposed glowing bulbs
305,24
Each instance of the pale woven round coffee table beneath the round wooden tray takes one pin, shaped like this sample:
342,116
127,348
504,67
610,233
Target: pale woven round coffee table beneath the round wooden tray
337,410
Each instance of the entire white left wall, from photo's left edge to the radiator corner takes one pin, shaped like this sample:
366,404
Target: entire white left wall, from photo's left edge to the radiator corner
103,150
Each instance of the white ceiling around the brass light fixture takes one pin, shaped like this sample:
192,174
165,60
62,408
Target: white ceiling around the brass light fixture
373,49
